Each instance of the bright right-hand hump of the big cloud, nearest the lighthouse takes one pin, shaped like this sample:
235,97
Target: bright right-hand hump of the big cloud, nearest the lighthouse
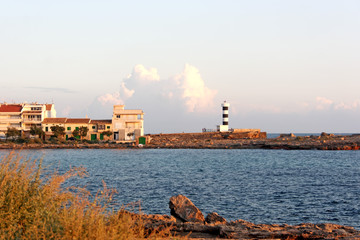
197,96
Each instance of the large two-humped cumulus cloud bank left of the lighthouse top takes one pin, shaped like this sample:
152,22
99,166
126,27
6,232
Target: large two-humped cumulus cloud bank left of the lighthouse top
187,89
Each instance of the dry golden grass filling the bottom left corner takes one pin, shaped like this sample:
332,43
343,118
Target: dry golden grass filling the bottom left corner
36,206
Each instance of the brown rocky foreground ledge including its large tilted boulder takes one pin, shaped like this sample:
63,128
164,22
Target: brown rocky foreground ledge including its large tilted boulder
217,227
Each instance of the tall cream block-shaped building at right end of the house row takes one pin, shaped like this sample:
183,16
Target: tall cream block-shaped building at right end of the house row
128,124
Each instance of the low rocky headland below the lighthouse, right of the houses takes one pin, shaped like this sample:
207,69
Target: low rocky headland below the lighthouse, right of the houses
240,141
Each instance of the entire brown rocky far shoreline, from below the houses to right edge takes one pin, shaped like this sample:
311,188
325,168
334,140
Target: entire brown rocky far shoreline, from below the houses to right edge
212,141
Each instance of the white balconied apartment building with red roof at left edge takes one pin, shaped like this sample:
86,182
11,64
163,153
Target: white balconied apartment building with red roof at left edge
23,116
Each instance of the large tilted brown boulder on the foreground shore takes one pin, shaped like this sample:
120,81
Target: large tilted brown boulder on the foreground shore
184,210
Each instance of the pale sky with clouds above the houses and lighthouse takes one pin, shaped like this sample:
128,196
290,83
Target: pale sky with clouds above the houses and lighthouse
284,66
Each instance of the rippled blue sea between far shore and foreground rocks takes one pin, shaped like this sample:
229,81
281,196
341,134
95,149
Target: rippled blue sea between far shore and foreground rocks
261,186
